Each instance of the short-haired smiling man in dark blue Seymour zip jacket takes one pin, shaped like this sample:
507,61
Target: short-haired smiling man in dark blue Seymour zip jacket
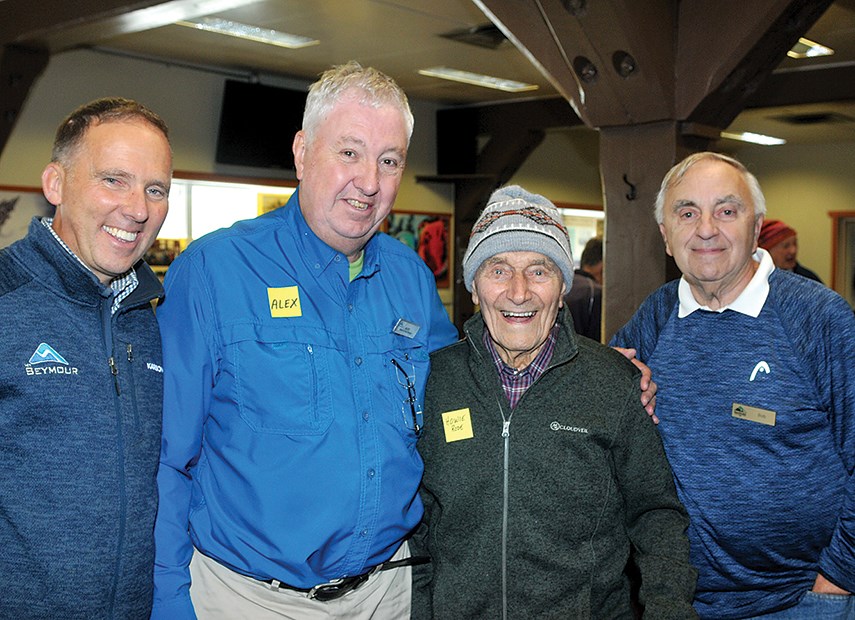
81,382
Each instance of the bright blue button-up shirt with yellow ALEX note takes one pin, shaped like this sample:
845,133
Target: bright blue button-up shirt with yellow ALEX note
288,446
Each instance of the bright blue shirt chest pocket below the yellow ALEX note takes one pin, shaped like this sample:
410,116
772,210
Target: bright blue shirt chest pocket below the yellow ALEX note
282,384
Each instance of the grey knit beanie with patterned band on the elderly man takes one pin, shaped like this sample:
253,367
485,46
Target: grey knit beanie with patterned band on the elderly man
515,220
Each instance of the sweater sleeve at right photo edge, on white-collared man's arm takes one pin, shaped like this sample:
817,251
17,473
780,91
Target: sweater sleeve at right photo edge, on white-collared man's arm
836,358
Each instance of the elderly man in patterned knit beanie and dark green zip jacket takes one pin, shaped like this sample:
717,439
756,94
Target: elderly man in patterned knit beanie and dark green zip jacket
543,473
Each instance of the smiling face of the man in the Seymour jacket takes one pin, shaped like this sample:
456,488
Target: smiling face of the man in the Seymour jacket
111,194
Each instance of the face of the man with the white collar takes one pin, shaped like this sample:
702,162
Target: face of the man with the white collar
709,227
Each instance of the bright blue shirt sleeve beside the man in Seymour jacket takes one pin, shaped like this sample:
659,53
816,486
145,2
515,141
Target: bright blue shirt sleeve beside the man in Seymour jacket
186,320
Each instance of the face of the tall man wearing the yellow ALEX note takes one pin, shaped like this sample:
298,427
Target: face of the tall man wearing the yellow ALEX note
350,171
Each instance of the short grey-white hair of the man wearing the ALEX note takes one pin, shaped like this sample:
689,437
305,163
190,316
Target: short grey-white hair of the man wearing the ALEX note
377,89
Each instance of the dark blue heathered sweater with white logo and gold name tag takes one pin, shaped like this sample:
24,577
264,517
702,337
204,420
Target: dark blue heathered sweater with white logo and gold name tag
758,421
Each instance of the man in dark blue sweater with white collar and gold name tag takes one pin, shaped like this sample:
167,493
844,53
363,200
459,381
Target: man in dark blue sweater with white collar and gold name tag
756,401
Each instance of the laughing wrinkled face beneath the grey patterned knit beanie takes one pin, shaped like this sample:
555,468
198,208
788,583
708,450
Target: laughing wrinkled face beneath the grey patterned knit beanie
520,294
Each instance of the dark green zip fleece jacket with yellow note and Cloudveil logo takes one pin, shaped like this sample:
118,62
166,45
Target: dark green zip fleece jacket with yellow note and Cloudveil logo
581,479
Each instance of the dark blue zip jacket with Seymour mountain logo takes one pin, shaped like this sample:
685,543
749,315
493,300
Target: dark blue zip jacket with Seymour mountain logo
79,438
